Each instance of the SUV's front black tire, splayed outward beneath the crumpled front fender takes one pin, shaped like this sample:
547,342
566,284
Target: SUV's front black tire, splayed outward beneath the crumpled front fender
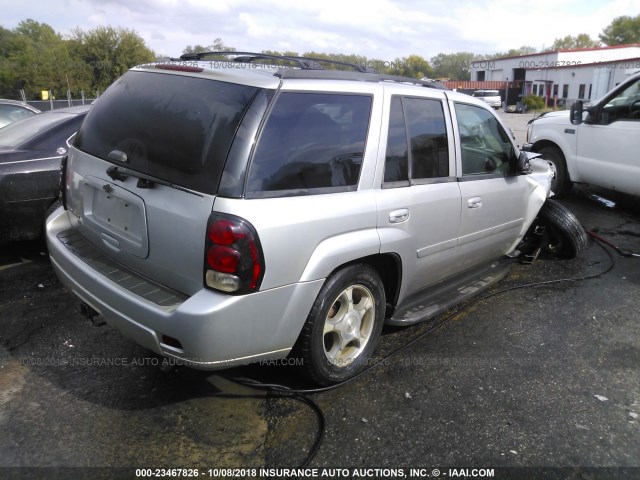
564,235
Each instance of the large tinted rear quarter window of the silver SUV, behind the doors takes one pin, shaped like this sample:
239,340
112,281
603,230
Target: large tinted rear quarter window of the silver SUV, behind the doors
311,141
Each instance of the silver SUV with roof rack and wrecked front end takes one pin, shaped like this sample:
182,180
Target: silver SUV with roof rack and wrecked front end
221,213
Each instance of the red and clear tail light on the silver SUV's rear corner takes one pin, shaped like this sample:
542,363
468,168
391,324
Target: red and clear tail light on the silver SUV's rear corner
233,256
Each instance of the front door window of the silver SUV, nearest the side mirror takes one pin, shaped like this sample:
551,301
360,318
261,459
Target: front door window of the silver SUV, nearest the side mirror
486,147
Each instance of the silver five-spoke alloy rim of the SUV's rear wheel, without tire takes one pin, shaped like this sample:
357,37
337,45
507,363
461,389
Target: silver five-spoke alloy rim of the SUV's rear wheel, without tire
349,324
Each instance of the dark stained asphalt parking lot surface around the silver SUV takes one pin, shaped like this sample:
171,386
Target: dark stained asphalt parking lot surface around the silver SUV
544,375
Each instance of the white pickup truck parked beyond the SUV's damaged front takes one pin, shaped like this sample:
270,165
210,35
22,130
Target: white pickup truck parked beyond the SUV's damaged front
598,143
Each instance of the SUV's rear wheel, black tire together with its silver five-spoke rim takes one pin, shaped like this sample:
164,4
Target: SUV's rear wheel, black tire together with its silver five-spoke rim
328,357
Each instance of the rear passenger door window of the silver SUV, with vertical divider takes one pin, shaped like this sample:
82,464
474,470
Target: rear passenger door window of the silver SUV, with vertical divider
417,145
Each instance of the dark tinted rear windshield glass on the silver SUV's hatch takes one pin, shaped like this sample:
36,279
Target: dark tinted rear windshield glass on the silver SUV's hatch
174,127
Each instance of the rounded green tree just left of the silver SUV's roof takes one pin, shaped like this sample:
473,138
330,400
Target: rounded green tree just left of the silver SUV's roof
109,52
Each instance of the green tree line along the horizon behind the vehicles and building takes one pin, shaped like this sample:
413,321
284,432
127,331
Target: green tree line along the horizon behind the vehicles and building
34,57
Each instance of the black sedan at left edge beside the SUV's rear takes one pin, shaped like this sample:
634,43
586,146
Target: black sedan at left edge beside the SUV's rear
30,153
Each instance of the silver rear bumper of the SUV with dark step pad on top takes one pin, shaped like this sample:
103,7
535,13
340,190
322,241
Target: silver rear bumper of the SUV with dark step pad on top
215,330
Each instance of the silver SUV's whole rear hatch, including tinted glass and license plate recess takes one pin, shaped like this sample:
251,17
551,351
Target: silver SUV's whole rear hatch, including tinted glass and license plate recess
145,167
